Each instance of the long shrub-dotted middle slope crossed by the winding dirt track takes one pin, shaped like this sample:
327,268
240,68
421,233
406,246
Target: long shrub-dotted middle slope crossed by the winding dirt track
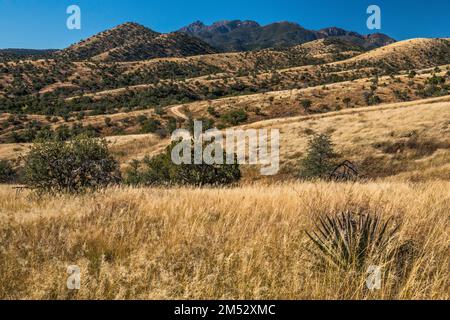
157,101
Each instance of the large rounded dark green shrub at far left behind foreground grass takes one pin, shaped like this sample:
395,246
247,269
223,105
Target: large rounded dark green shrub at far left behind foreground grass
73,166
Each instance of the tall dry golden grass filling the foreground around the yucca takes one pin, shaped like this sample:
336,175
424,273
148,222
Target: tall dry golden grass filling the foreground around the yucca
243,243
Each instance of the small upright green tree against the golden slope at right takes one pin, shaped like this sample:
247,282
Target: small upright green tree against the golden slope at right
321,157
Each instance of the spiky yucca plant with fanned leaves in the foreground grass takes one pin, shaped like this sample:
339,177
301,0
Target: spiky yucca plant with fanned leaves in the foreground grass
349,240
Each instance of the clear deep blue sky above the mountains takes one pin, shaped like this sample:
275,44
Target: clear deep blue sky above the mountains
42,23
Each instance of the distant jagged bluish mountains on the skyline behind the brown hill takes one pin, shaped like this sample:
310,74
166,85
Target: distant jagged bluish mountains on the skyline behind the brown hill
237,35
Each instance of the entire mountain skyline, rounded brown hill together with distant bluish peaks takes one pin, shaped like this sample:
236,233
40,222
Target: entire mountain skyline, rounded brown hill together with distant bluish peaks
134,42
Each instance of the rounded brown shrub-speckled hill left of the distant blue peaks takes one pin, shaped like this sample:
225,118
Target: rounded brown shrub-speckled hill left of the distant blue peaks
131,42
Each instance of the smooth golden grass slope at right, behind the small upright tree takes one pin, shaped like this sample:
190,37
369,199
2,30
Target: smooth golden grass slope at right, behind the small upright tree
358,134
